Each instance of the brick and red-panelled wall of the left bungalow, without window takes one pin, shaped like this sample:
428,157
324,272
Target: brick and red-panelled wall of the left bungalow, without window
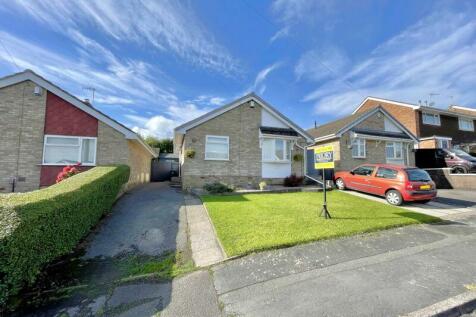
25,118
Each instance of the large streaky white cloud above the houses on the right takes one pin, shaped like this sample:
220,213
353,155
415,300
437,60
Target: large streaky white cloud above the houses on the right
436,55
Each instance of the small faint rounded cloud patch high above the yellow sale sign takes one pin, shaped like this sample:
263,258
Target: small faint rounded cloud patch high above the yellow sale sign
322,63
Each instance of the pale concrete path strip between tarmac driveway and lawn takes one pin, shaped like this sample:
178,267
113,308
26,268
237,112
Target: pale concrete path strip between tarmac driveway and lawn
206,249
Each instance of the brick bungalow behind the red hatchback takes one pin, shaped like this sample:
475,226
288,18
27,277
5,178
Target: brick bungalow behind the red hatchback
372,136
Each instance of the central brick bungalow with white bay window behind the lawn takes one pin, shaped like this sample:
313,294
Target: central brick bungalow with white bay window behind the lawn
240,144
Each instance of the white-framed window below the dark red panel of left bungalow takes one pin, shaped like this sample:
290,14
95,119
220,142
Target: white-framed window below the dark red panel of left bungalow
66,150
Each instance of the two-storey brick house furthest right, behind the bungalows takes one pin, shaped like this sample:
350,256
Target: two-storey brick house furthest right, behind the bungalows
435,128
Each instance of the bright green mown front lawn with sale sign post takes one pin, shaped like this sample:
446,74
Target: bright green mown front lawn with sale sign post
252,222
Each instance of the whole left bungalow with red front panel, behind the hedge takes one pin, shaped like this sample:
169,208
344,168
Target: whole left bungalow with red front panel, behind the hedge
43,128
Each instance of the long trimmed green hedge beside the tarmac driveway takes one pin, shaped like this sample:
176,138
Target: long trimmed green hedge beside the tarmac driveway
39,226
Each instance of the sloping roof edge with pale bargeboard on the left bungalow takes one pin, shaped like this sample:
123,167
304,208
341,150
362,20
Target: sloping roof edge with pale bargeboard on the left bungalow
82,105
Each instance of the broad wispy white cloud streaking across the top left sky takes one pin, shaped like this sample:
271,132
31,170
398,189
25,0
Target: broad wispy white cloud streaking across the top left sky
165,25
